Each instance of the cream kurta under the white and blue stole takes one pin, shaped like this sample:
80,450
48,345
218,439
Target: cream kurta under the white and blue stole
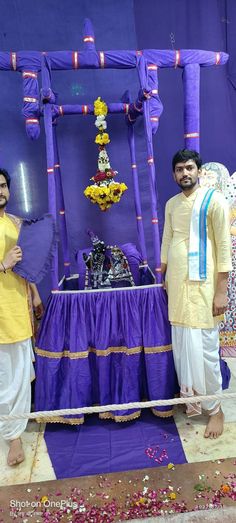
190,302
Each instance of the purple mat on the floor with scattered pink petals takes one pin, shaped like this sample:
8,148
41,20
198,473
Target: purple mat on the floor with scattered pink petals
100,447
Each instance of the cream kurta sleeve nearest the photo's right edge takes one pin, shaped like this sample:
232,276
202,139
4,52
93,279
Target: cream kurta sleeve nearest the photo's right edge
220,221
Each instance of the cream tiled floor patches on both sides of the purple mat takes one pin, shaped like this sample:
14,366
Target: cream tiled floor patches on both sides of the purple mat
38,467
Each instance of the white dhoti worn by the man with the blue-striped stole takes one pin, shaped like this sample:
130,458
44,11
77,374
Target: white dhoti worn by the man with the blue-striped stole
197,364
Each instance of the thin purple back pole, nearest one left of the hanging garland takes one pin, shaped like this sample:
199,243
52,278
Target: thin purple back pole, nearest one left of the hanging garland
61,207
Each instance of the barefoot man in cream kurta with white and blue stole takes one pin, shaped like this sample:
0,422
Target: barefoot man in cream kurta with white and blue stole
196,302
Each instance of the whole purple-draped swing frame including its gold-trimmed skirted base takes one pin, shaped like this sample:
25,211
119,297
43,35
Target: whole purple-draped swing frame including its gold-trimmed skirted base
112,345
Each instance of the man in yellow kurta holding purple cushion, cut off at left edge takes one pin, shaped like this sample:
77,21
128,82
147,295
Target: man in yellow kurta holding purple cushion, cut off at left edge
16,368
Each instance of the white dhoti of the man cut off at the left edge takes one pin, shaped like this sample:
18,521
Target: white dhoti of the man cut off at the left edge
16,374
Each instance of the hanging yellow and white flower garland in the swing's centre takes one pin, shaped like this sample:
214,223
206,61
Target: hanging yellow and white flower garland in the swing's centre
104,191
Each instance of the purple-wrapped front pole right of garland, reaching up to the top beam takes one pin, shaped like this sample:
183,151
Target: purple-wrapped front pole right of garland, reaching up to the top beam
143,75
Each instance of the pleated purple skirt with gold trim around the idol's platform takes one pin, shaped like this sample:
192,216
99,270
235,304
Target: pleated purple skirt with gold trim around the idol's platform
105,347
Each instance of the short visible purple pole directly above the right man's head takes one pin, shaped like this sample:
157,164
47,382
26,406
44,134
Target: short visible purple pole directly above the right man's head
191,86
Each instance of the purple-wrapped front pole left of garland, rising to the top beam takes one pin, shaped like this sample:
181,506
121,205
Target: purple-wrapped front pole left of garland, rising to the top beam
47,110
